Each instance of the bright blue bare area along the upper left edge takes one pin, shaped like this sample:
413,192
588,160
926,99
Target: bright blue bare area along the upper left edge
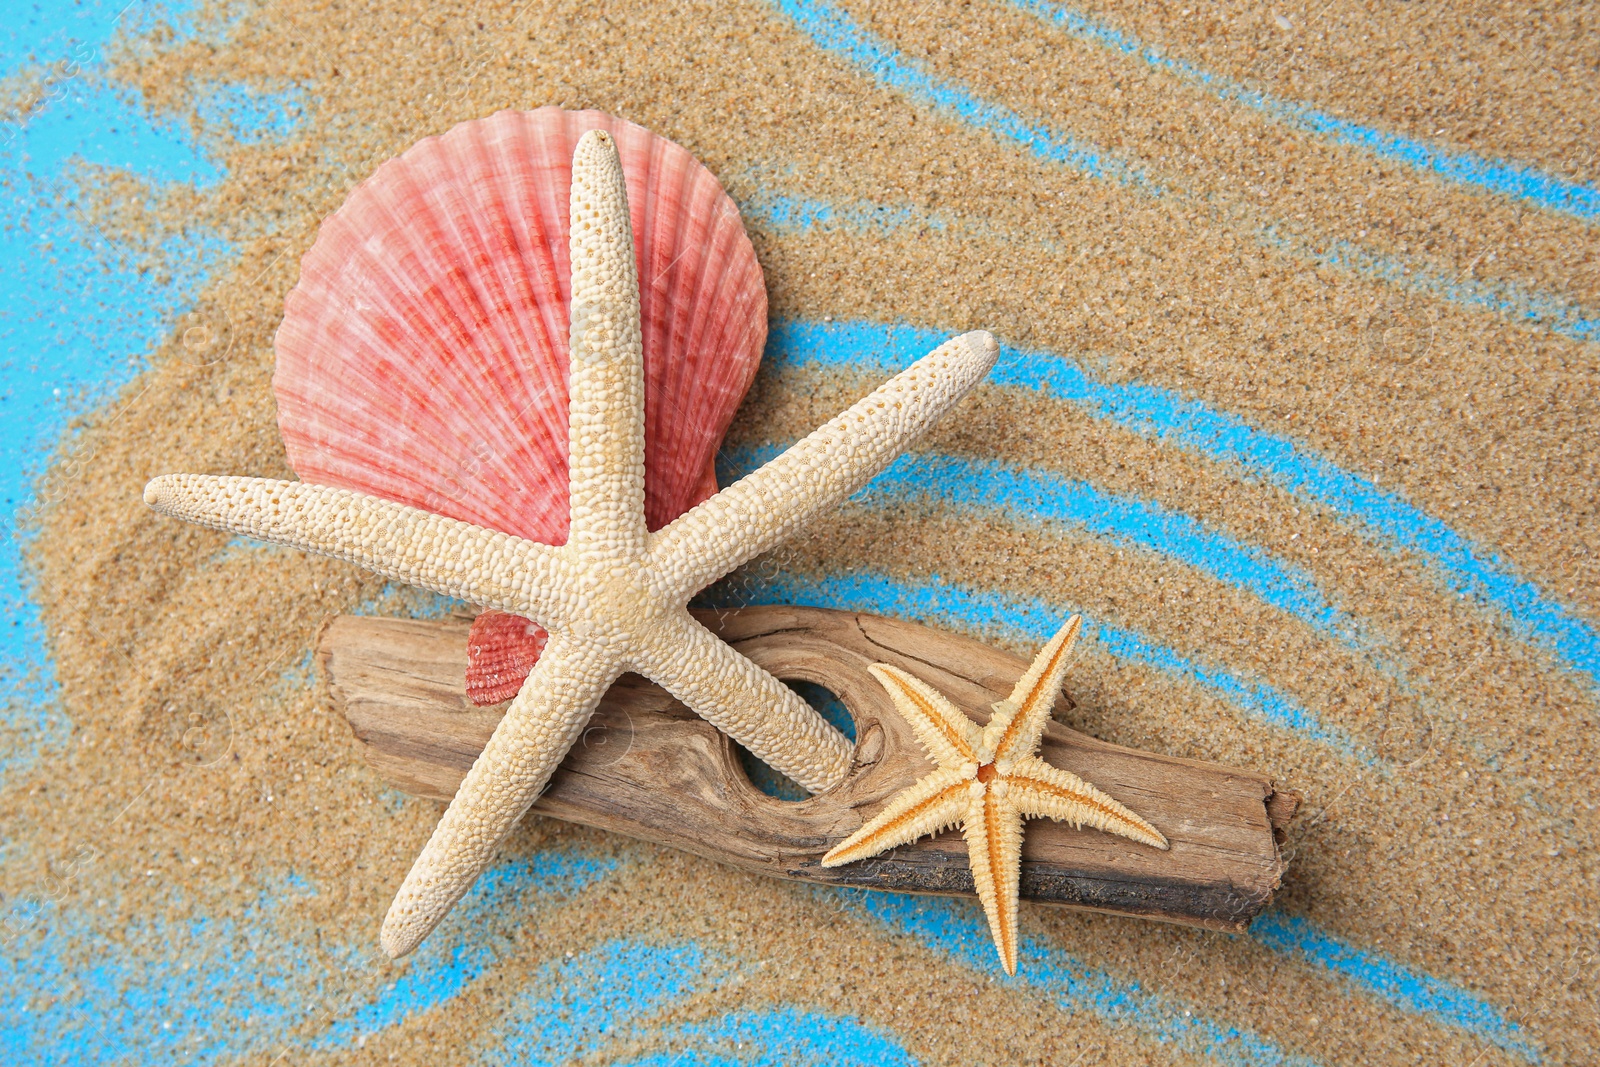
78,330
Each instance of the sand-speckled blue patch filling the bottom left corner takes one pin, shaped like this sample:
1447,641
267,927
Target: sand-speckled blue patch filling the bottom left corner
78,991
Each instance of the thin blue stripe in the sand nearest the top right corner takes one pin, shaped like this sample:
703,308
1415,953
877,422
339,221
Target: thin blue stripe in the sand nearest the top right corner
1463,169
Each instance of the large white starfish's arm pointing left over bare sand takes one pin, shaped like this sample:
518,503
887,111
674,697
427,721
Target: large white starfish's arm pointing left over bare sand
450,557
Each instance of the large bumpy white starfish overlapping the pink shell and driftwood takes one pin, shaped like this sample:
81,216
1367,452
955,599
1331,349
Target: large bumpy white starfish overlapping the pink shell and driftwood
615,596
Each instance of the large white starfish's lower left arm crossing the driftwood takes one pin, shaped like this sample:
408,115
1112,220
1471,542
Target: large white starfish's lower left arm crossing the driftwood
529,745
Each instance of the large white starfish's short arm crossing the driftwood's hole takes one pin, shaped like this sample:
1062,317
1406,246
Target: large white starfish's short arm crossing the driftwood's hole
743,701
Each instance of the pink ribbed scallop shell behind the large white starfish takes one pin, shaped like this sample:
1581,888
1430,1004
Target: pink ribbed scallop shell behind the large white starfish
423,353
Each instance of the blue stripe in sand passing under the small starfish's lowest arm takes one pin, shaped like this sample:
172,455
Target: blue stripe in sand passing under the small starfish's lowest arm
959,930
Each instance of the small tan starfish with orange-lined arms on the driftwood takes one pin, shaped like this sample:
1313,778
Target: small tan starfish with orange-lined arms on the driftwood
988,781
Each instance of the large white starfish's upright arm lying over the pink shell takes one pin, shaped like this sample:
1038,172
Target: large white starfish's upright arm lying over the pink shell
607,412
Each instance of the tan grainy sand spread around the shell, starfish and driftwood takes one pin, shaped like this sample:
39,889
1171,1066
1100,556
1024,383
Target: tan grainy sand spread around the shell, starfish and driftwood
209,770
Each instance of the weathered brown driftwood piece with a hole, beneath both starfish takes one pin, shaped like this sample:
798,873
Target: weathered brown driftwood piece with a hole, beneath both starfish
650,769
